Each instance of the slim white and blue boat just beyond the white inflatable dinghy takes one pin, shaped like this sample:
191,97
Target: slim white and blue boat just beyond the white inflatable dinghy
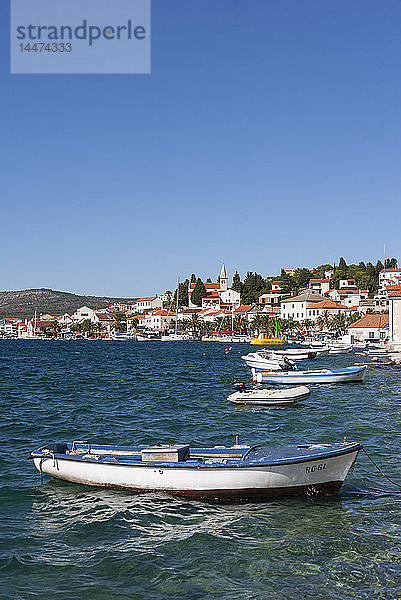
346,375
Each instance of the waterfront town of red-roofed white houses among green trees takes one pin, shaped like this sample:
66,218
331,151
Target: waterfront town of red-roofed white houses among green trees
359,302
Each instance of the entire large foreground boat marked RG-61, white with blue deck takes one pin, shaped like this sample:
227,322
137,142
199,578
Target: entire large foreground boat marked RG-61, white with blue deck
218,473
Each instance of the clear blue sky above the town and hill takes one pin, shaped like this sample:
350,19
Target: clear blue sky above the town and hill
266,136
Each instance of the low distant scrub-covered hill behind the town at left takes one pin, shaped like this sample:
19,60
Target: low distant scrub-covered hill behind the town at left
23,303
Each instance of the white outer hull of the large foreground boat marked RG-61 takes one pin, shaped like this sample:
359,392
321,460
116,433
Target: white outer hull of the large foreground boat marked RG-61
319,474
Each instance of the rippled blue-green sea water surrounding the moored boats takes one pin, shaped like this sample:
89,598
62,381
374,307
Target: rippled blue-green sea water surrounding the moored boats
60,540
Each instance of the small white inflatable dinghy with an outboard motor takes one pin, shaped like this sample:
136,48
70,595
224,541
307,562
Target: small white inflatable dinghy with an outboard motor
264,397
